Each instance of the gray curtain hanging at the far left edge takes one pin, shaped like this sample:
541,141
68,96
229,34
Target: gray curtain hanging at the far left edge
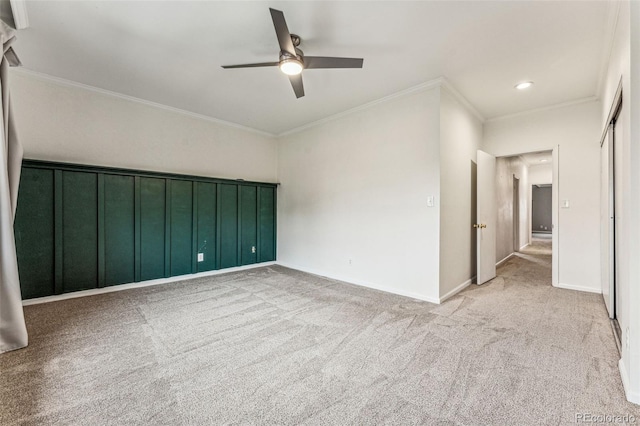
13,331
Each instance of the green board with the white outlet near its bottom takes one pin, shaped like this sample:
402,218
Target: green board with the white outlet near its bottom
206,226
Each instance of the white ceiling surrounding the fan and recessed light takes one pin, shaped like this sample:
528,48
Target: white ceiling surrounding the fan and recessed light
170,52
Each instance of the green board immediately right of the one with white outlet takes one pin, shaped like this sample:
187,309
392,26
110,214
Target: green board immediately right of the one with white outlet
228,225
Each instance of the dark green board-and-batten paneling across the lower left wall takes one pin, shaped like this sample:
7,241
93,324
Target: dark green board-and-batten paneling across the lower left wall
82,227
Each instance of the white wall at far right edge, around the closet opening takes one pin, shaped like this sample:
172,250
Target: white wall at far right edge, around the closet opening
624,66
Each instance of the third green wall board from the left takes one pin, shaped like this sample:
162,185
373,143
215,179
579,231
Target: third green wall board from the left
119,215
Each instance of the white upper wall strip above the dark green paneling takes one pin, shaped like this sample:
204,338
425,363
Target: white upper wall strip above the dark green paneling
61,122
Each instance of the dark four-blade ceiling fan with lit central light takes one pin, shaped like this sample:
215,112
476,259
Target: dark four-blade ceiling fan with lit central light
292,59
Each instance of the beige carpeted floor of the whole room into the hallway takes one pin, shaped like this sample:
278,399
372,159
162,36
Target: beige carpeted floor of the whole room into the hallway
277,346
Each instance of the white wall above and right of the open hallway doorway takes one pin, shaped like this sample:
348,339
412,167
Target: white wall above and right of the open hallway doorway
576,130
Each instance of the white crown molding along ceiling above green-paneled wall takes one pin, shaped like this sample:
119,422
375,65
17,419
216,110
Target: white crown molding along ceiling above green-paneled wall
69,83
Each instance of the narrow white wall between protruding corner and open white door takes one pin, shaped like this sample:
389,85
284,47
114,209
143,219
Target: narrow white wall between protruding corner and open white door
460,137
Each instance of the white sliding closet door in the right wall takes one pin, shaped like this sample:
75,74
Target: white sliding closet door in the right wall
607,221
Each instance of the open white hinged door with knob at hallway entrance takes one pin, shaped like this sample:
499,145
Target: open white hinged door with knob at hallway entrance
486,218
